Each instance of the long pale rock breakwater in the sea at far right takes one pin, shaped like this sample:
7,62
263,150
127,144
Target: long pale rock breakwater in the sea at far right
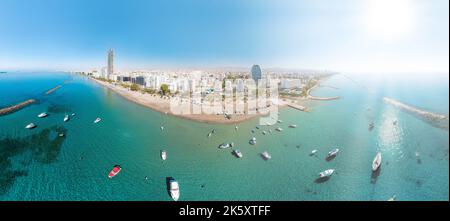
436,120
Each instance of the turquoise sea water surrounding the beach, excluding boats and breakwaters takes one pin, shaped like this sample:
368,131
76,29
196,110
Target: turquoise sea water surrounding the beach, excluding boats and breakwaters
38,165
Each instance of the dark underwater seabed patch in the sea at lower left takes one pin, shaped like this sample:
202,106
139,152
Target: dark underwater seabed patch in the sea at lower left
43,147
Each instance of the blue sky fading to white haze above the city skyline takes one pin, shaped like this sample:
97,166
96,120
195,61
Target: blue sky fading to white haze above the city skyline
345,35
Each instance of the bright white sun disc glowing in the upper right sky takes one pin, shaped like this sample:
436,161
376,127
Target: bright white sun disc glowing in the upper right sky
389,18
